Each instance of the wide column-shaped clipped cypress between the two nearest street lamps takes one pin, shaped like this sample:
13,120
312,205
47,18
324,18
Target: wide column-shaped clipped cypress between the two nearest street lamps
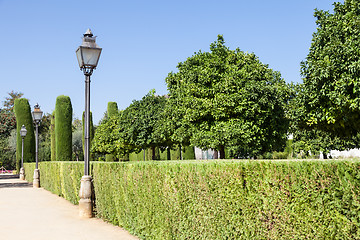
63,128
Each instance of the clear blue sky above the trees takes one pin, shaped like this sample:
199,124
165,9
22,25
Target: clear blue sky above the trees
142,42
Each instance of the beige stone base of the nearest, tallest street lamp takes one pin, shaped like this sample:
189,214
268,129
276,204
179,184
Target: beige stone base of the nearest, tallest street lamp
85,194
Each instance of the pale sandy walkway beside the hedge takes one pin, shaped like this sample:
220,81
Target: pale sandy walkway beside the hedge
28,213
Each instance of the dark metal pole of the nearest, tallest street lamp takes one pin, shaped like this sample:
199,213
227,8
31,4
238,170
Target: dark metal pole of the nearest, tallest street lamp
87,125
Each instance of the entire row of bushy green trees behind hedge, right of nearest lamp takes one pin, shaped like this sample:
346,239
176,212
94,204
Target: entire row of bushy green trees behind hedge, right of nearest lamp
228,100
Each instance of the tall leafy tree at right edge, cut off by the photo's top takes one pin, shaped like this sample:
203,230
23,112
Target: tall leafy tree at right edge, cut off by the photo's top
330,99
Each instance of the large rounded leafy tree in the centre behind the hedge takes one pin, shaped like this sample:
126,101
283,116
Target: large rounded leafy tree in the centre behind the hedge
228,99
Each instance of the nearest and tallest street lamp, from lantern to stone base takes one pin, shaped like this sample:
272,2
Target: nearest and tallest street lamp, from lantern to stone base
88,55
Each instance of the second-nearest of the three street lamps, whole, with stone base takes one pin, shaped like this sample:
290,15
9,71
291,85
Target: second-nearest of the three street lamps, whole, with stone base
37,116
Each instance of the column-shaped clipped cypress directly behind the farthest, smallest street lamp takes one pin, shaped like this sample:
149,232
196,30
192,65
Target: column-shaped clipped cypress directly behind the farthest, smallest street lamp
23,117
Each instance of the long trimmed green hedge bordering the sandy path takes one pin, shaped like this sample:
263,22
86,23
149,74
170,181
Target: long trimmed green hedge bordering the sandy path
224,199
